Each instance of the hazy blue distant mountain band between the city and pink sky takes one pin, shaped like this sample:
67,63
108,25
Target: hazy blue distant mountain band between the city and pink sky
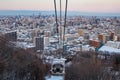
70,13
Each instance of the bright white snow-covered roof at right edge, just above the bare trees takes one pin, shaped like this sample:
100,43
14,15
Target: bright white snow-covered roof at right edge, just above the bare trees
109,49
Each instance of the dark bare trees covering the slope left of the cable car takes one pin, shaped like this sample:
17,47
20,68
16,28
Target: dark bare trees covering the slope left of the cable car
19,64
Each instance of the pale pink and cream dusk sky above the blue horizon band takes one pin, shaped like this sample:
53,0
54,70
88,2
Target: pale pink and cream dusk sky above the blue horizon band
112,6
